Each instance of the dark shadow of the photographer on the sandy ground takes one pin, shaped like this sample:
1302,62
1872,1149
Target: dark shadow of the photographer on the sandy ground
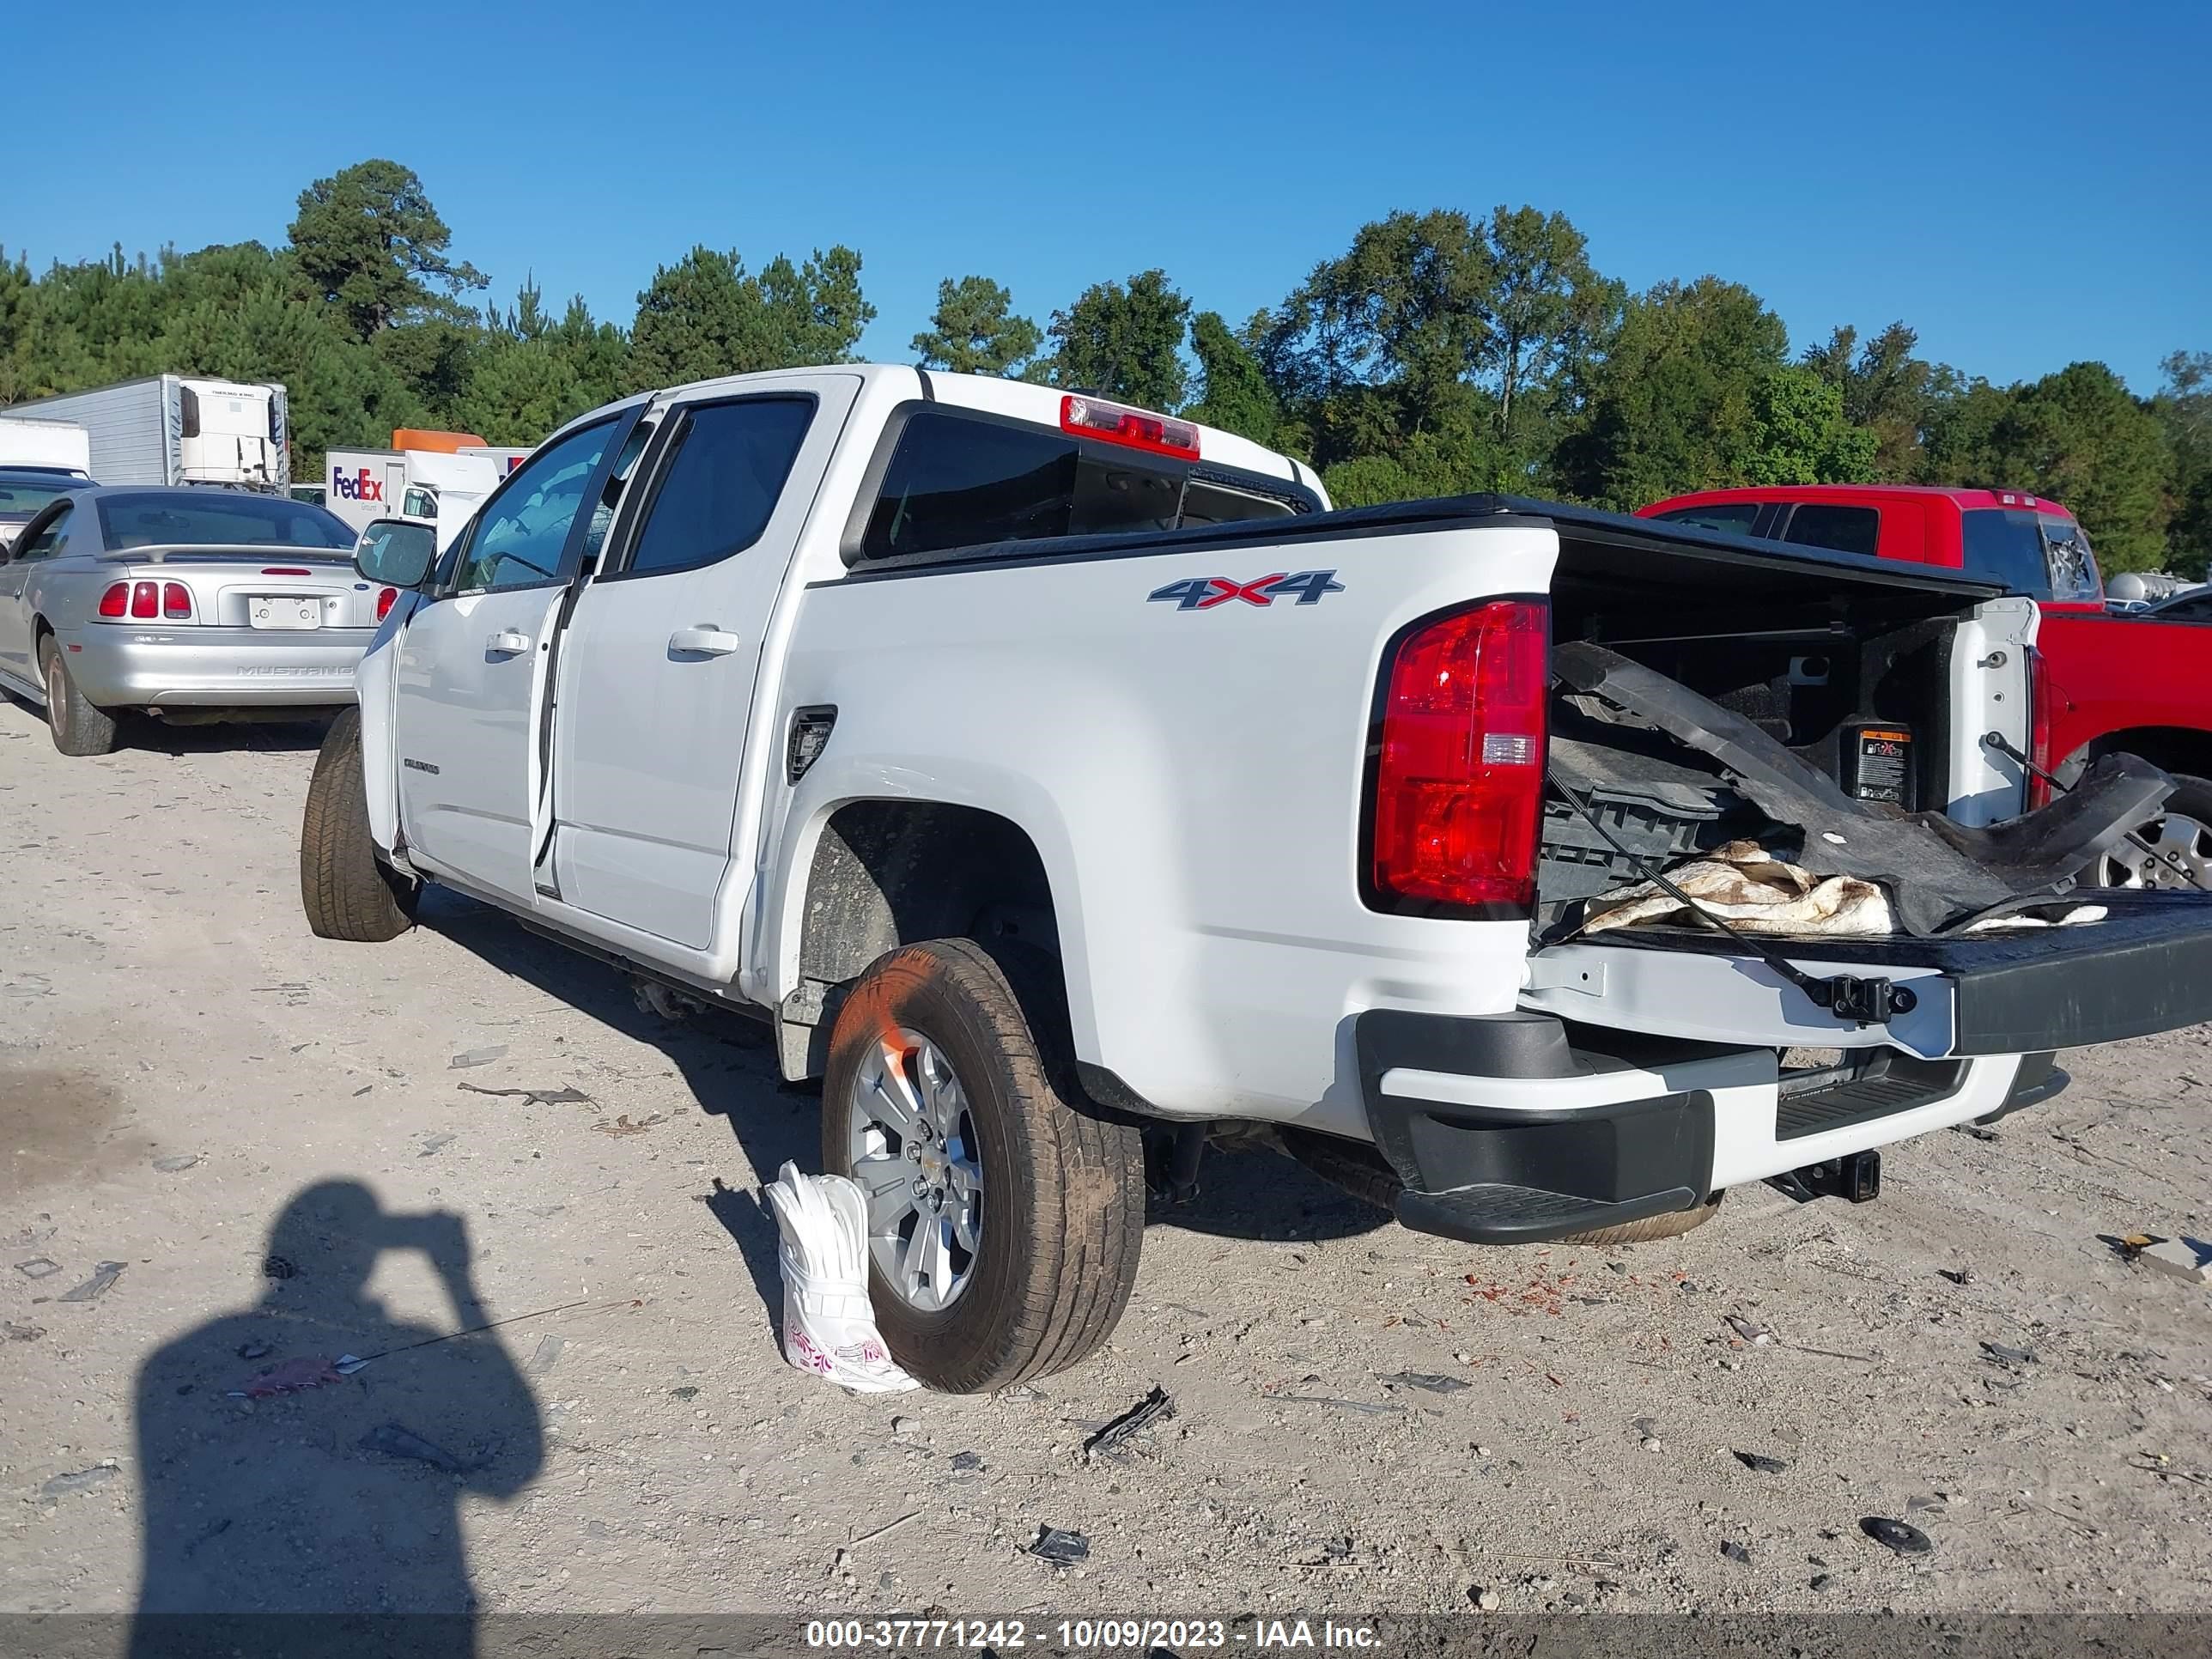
340,1499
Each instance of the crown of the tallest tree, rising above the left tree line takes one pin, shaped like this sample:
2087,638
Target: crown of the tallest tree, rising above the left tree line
371,242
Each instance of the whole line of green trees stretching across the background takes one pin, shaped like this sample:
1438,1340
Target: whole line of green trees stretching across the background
1441,353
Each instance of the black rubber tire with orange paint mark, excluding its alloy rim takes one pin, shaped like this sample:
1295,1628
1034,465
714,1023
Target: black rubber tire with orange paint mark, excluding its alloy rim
1056,1253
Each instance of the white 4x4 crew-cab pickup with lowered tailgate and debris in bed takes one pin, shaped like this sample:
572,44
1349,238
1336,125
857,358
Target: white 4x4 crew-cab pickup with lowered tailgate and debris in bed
1045,771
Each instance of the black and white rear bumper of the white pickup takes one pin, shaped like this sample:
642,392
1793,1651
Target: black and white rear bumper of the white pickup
1505,1134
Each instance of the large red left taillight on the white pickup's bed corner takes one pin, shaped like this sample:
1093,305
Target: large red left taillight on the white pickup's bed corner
1459,784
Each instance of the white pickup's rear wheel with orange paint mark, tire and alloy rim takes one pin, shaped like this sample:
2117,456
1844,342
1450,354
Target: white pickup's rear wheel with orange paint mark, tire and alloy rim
1005,1211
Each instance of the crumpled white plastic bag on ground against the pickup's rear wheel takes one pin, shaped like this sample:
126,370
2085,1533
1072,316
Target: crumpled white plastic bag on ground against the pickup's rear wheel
828,1322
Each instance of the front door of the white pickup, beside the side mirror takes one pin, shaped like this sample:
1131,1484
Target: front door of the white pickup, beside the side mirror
472,665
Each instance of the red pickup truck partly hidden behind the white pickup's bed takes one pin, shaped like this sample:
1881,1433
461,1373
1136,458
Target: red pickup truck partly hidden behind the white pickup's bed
2103,680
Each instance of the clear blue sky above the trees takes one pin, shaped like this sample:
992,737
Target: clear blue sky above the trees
2025,182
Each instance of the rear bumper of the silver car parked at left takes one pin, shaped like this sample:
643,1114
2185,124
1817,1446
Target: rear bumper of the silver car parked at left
127,667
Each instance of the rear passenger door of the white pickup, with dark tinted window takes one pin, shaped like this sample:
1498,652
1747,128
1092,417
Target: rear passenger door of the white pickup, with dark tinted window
660,660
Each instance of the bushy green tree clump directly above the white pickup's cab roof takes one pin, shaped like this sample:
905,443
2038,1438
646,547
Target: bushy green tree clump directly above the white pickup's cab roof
707,317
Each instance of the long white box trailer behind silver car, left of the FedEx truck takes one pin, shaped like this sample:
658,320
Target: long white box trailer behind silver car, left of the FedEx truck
180,430
